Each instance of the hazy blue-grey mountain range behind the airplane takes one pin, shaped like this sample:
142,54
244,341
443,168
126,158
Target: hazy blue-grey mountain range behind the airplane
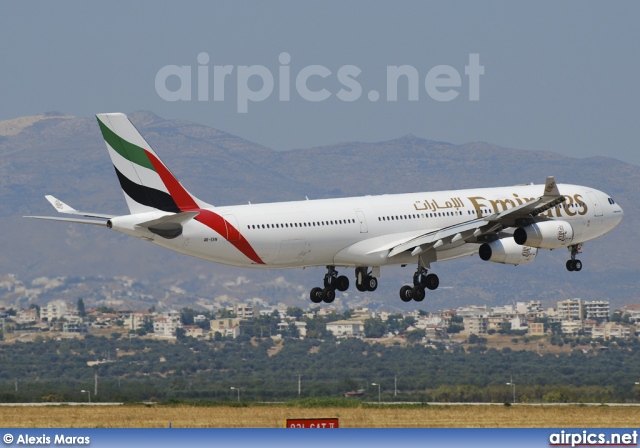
65,156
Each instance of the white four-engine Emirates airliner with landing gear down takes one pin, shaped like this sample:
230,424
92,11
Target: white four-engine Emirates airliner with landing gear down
502,225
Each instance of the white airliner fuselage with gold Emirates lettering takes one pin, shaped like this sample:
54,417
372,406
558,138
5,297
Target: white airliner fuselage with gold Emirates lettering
353,232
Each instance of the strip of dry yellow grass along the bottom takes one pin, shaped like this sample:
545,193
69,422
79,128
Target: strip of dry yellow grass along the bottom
266,416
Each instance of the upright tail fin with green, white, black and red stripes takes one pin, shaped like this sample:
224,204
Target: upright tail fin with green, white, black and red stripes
146,182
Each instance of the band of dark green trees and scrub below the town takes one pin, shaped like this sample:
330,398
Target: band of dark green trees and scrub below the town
136,369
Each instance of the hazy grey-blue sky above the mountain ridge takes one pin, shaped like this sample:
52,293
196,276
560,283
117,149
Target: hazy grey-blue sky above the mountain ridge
558,76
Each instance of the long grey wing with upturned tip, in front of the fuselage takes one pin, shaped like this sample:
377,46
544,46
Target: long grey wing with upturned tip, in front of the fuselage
512,217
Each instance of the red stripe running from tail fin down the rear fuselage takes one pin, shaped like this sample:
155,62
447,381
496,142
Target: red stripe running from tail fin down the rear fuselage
185,203
